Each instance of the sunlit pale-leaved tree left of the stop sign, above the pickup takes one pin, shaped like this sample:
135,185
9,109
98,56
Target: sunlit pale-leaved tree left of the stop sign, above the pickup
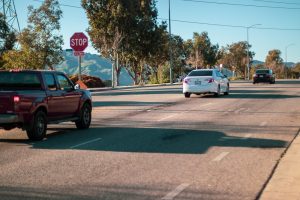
40,45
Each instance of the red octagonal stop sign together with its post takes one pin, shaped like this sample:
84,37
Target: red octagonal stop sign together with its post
78,42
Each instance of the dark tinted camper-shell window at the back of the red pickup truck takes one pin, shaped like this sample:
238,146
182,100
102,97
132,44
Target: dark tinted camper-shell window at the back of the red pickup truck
19,81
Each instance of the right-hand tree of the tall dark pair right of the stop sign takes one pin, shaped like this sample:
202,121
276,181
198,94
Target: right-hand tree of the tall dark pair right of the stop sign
145,42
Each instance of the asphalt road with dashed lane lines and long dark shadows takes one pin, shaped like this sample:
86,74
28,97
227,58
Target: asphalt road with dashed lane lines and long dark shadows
152,143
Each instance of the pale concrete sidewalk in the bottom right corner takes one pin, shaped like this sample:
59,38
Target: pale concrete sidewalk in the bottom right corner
285,182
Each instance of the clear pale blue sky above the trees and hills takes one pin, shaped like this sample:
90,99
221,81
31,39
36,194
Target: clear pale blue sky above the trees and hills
224,20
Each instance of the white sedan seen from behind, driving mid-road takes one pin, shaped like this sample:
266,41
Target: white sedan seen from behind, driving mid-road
205,81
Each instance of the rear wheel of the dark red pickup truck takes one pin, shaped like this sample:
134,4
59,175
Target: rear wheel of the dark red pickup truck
38,127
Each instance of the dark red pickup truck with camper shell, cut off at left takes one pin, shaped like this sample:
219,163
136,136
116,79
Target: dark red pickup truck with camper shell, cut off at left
30,99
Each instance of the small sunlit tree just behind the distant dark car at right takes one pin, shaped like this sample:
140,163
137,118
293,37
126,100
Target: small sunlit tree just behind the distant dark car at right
275,62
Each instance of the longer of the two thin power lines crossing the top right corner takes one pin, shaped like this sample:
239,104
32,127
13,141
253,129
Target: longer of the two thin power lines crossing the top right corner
245,5
